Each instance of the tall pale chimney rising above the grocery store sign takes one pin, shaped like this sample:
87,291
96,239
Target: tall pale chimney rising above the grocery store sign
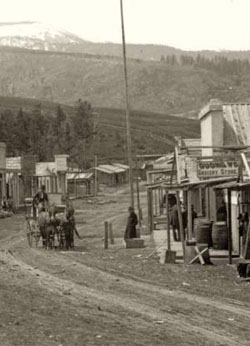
211,123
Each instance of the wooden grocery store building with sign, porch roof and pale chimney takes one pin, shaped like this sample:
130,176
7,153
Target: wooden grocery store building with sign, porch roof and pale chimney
204,169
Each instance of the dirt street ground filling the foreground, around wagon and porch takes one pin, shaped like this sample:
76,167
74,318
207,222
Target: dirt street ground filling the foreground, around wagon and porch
113,297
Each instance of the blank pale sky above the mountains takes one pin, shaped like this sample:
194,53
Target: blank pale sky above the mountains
185,24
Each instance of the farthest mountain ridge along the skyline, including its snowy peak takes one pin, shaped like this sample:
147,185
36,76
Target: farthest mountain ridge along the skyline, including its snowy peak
75,43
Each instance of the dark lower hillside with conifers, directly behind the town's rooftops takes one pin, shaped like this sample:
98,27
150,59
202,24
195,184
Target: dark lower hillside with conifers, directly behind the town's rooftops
44,129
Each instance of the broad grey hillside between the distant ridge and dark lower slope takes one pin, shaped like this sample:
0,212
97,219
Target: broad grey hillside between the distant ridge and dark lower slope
176,86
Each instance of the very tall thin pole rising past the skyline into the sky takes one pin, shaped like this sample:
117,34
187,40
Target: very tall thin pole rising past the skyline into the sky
128,135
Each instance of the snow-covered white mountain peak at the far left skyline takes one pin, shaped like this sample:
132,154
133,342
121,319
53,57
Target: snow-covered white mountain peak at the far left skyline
35,35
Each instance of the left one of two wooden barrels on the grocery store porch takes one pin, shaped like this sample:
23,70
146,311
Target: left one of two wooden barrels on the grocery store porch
203,231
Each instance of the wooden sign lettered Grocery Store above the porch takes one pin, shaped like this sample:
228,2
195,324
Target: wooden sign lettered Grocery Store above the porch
213,169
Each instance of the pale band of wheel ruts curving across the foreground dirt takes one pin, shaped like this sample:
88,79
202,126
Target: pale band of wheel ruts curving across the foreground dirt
188,314
